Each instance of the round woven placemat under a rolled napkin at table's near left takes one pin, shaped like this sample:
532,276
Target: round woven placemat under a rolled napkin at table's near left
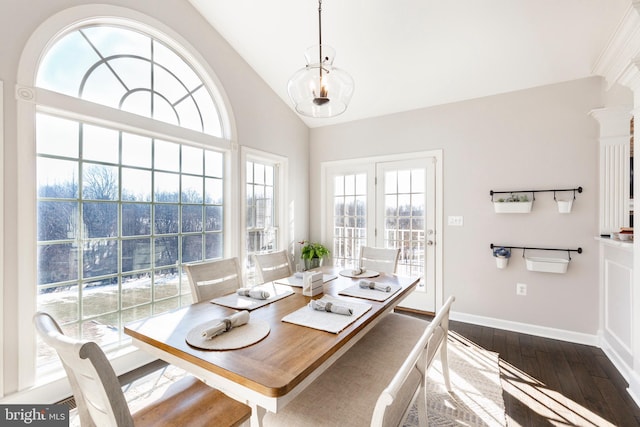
241,336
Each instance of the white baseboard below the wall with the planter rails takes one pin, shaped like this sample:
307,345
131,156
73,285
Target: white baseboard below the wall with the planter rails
526,328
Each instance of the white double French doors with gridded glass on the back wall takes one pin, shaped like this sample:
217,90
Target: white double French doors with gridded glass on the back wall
390,204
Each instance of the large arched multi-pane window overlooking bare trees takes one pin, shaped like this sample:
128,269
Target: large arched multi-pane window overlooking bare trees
132,163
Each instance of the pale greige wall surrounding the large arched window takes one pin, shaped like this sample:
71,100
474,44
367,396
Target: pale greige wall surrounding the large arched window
280,131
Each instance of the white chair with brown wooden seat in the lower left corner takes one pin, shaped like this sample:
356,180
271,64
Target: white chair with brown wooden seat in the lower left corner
101,402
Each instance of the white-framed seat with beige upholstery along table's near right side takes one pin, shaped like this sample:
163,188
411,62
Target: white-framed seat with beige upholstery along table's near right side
377,380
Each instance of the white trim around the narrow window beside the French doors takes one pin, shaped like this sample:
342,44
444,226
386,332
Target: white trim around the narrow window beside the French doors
280,181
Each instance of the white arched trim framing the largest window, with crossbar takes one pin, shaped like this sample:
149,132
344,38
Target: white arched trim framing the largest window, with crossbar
31,100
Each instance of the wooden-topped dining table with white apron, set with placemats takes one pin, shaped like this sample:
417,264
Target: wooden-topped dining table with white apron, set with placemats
268,374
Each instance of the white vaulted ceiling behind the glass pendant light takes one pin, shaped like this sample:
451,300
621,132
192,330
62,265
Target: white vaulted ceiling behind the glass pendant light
409,54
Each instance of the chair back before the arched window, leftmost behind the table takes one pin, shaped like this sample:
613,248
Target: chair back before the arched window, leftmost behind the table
212,279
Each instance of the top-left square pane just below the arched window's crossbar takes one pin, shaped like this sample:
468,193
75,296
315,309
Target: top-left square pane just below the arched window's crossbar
56,136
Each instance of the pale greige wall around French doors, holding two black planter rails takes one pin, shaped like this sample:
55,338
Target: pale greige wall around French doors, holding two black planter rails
542,138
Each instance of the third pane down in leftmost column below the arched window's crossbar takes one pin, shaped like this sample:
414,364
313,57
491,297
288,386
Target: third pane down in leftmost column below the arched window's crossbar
58,221
